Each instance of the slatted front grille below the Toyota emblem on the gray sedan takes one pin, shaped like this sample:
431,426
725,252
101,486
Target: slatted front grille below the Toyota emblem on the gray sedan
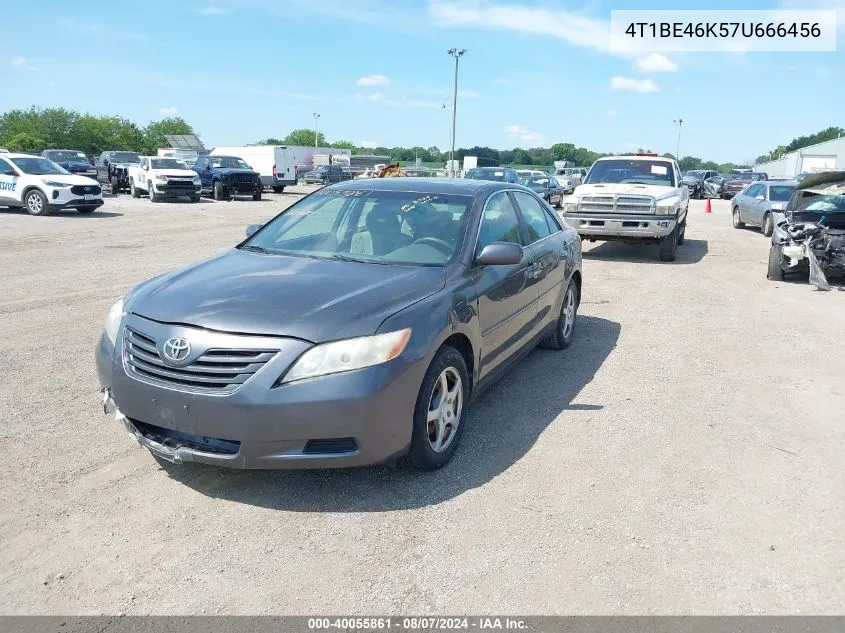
216,370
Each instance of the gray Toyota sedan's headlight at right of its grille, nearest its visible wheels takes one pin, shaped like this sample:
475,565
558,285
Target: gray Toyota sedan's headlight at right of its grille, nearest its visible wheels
354,353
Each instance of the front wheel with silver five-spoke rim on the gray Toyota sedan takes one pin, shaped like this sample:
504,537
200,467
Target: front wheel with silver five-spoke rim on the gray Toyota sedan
447,425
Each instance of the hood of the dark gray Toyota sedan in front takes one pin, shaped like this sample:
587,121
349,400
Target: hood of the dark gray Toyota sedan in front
311,299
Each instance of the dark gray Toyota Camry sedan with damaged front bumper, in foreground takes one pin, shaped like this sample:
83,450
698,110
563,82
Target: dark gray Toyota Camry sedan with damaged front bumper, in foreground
353,328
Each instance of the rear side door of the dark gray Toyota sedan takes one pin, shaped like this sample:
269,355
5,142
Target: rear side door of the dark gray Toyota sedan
546,249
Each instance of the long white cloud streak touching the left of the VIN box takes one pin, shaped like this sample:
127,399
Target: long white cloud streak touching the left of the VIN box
571,27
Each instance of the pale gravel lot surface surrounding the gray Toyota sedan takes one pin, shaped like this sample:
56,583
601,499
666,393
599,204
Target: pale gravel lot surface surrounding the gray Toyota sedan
684,455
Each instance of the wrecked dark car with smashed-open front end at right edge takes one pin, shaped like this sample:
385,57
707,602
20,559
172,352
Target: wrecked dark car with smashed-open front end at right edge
810,240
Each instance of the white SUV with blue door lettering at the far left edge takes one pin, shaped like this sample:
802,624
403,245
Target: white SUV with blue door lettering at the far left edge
40,186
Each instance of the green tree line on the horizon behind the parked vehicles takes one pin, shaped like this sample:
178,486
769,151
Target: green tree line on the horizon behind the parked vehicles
36,129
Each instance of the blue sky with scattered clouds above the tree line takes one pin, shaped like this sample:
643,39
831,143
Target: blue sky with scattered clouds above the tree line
536,73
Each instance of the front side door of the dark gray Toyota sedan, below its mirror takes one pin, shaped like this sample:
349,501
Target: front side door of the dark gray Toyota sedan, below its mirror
507,294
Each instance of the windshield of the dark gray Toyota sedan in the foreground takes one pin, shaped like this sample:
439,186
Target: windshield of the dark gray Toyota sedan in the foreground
379,227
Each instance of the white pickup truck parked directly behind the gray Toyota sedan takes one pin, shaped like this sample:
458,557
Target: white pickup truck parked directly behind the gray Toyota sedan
631,198
